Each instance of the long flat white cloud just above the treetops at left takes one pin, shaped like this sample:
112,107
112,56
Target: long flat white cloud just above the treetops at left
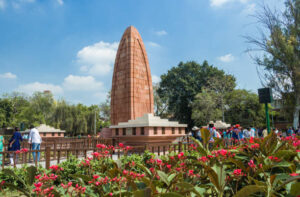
37,86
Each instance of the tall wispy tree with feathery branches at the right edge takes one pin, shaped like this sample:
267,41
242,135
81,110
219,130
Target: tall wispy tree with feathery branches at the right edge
281,46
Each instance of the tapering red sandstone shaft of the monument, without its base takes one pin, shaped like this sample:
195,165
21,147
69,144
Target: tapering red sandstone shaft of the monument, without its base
131,94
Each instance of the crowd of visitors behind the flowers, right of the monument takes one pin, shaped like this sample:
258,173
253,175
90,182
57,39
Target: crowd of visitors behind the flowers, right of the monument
236,133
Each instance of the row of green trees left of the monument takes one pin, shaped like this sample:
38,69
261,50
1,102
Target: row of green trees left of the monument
41,107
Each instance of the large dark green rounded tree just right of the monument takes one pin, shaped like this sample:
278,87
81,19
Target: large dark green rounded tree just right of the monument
182,83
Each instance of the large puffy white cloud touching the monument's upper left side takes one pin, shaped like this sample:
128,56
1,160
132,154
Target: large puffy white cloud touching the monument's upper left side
97,59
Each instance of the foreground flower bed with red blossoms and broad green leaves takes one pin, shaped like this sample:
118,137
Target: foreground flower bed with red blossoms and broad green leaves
260,167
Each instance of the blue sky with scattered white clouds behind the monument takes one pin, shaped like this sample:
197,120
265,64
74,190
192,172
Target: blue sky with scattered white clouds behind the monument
69,46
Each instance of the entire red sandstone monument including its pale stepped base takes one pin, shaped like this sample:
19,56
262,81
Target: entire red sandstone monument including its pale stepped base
132,119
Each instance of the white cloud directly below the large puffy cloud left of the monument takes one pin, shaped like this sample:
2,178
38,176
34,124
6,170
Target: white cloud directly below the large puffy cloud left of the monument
81,83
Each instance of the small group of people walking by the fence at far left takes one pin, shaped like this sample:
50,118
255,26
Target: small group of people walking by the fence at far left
14,143
